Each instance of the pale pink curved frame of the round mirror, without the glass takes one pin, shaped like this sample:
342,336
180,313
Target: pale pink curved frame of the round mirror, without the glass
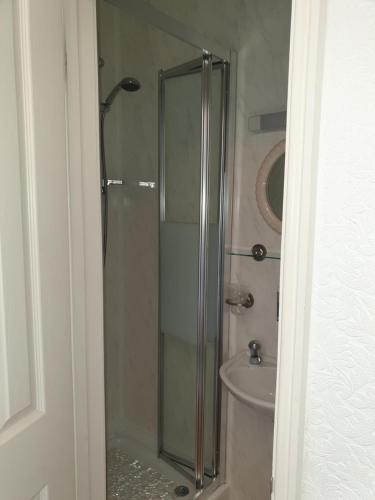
261,186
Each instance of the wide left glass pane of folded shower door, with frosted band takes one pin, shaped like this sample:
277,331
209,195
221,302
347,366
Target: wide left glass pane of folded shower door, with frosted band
179,270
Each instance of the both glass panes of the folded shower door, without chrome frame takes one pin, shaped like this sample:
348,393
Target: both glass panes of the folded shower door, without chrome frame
179,266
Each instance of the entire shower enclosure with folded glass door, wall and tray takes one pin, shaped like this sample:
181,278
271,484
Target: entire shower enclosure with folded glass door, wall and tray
165,146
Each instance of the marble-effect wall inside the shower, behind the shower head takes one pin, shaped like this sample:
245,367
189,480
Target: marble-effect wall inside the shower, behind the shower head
131,48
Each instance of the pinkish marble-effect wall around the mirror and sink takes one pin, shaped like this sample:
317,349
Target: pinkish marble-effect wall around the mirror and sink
262,87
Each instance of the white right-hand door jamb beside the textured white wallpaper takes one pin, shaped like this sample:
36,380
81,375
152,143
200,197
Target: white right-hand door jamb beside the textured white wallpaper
302,145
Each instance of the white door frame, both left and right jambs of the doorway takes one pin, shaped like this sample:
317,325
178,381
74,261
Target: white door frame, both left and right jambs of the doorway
306,51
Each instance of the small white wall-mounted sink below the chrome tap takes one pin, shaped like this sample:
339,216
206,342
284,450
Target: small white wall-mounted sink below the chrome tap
254,385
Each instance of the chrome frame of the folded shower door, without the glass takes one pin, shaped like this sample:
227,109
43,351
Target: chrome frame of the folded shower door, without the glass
205,66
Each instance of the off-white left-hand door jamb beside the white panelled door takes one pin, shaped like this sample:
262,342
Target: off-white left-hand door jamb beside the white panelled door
82,104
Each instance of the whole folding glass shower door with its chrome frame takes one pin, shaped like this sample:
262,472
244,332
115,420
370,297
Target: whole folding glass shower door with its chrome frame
192,110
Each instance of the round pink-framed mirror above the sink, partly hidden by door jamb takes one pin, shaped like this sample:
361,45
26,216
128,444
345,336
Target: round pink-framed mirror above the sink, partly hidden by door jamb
270,186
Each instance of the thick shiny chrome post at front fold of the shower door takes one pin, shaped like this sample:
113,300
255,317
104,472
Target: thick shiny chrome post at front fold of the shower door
202,285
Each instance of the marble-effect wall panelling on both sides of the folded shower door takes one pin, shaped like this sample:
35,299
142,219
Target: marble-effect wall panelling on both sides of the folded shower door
259,31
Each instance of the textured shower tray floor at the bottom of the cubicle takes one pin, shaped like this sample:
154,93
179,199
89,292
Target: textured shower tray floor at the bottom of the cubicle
132,479
